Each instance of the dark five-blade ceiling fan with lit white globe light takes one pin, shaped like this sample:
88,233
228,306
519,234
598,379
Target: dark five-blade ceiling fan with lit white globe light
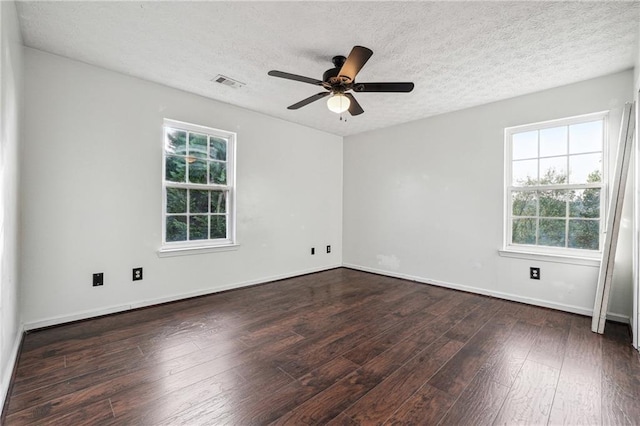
340,80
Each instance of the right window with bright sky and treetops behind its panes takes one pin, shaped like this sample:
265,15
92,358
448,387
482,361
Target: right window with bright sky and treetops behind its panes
555,185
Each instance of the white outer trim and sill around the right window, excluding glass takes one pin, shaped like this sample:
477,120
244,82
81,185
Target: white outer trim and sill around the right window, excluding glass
544,253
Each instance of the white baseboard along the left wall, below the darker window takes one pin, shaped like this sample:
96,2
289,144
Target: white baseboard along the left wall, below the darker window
48,322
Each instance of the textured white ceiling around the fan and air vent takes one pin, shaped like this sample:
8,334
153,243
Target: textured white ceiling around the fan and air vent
458,54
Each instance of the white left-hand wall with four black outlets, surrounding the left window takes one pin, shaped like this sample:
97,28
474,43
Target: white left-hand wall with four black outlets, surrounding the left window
91,180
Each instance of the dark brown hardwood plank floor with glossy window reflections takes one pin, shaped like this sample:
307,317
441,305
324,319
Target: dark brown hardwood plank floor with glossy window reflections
337,347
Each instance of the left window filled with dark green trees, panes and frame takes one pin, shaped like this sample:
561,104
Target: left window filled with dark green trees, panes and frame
198,186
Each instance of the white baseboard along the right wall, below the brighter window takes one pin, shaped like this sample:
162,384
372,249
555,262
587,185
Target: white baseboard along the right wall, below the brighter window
500,295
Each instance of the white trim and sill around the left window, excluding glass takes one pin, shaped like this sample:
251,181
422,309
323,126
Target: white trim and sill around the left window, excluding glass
201,246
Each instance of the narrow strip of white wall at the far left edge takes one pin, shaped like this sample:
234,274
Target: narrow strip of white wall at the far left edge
11,70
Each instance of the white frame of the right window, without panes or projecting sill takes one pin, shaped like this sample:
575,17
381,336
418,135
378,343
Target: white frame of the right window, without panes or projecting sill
509,188
